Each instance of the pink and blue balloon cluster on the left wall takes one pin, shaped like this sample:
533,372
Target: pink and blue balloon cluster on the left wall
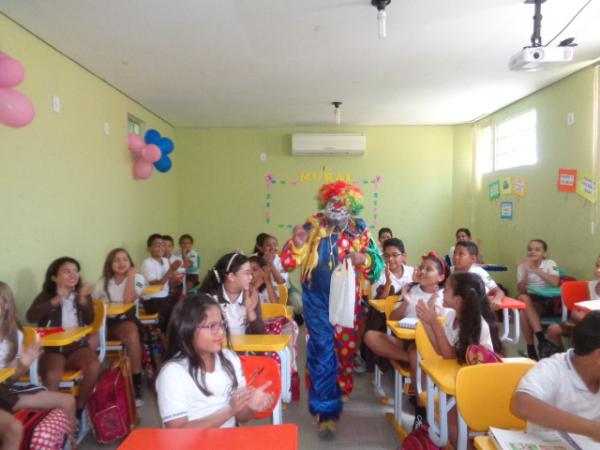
152,150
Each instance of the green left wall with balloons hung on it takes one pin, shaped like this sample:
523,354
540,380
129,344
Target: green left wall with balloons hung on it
65,187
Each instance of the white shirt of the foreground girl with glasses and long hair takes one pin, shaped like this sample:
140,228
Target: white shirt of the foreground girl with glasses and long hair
178,395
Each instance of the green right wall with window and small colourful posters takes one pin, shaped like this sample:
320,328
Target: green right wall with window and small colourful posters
563,220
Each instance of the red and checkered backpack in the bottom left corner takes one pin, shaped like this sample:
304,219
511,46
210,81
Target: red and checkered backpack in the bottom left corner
44,429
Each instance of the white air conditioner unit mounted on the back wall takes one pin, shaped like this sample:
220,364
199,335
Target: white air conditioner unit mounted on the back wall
333,144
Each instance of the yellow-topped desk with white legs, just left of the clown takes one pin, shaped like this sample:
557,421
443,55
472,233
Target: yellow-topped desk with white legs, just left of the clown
268,343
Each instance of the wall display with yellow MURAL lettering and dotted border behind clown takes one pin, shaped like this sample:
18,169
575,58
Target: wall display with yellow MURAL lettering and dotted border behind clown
280,191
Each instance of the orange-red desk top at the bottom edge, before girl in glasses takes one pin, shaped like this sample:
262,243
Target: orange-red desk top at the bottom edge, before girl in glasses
273,437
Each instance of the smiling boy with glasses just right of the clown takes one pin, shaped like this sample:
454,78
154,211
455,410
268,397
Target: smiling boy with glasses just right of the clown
397,274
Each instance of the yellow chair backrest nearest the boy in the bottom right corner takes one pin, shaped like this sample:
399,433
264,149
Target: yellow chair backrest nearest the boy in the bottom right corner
484,394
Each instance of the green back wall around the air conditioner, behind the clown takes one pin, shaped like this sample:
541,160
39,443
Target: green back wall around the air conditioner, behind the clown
222,192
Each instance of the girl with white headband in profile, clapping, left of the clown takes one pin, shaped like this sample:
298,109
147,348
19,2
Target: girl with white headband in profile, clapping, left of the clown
230,283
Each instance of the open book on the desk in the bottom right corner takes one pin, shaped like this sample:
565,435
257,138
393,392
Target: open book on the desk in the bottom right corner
550,440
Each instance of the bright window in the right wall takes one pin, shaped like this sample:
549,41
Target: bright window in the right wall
516,141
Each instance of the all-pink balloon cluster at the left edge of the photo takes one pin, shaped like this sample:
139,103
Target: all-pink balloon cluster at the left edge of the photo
16,110
